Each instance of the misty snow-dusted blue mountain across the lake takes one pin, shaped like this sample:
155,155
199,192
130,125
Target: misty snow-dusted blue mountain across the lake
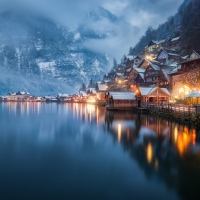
43,57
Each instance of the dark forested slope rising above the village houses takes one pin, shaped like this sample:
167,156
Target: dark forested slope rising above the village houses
186,23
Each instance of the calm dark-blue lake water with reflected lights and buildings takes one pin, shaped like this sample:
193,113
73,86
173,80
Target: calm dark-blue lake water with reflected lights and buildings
83,152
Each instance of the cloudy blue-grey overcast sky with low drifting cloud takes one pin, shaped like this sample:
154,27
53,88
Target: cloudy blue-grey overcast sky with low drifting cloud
140,13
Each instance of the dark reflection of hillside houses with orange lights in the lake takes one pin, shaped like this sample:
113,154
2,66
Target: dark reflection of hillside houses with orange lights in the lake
163,149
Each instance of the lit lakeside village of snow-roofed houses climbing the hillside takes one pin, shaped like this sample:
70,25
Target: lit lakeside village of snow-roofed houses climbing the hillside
159,76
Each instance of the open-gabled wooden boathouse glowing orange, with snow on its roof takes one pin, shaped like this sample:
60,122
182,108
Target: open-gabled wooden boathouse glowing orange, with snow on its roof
152,96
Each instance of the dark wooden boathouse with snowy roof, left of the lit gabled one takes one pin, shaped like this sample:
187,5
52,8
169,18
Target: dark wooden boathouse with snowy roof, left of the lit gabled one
120,100
